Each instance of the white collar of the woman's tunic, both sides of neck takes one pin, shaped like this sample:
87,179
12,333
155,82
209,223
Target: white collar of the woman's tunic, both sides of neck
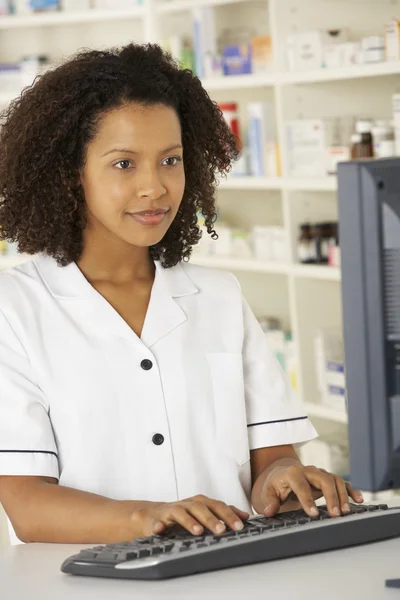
69,281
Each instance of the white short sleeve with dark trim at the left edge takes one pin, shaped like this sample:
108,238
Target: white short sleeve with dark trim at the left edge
27,444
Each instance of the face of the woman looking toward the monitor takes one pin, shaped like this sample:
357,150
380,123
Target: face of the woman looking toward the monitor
134,179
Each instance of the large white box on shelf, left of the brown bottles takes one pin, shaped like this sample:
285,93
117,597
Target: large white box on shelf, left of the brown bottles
306,148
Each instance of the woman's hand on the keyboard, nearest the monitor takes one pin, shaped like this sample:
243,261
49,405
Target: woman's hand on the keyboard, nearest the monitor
305,485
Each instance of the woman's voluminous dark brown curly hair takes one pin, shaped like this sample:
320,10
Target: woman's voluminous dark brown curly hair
45,133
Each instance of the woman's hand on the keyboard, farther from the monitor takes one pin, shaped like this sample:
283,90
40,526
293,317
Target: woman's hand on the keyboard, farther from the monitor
194,514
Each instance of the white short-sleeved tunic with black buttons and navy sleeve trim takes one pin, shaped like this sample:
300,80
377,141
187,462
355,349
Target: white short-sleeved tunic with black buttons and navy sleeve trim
160,418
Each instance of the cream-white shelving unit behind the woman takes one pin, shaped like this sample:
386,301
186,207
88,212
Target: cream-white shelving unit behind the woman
305,297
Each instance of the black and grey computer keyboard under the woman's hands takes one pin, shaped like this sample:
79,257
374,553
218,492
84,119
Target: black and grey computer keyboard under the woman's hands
178,552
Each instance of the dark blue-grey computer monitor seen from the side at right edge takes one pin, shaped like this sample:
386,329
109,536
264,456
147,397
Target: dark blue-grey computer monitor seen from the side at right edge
369,226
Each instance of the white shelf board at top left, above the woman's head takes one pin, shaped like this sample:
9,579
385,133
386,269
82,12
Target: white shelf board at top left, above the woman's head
68,18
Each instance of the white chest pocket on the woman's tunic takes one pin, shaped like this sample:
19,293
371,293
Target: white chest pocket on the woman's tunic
229,404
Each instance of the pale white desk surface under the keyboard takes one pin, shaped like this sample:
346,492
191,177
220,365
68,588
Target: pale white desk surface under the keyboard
33,571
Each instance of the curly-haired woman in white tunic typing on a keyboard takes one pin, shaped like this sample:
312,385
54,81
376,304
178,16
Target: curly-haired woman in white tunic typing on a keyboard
137,390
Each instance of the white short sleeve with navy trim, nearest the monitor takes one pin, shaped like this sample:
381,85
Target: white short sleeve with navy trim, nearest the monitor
275,414
